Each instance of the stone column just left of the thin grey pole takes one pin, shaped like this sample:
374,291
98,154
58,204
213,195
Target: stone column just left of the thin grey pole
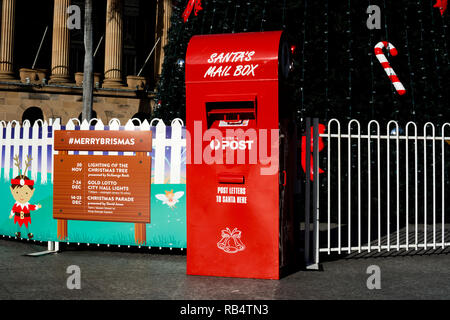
61,43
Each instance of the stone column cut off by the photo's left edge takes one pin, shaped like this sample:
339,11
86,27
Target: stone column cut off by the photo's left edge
7,40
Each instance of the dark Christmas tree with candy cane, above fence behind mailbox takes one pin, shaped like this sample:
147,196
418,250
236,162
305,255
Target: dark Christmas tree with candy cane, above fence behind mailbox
335,73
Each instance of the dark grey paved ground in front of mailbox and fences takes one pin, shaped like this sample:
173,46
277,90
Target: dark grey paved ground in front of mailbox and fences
140,275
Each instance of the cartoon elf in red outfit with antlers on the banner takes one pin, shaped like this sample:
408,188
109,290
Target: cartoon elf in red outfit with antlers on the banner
22,189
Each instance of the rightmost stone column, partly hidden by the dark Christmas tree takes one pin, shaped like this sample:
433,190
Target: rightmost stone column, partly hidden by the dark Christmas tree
163,13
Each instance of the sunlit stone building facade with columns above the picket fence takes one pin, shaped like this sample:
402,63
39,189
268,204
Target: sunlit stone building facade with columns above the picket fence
41,60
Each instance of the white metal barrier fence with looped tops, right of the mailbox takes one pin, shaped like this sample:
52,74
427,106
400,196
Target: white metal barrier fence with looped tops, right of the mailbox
382,189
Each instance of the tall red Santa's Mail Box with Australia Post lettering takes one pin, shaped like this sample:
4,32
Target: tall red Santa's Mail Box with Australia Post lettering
241,141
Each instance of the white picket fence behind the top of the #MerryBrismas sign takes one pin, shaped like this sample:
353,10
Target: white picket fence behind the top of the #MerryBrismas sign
169,154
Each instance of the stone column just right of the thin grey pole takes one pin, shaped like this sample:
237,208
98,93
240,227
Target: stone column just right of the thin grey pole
113,44
